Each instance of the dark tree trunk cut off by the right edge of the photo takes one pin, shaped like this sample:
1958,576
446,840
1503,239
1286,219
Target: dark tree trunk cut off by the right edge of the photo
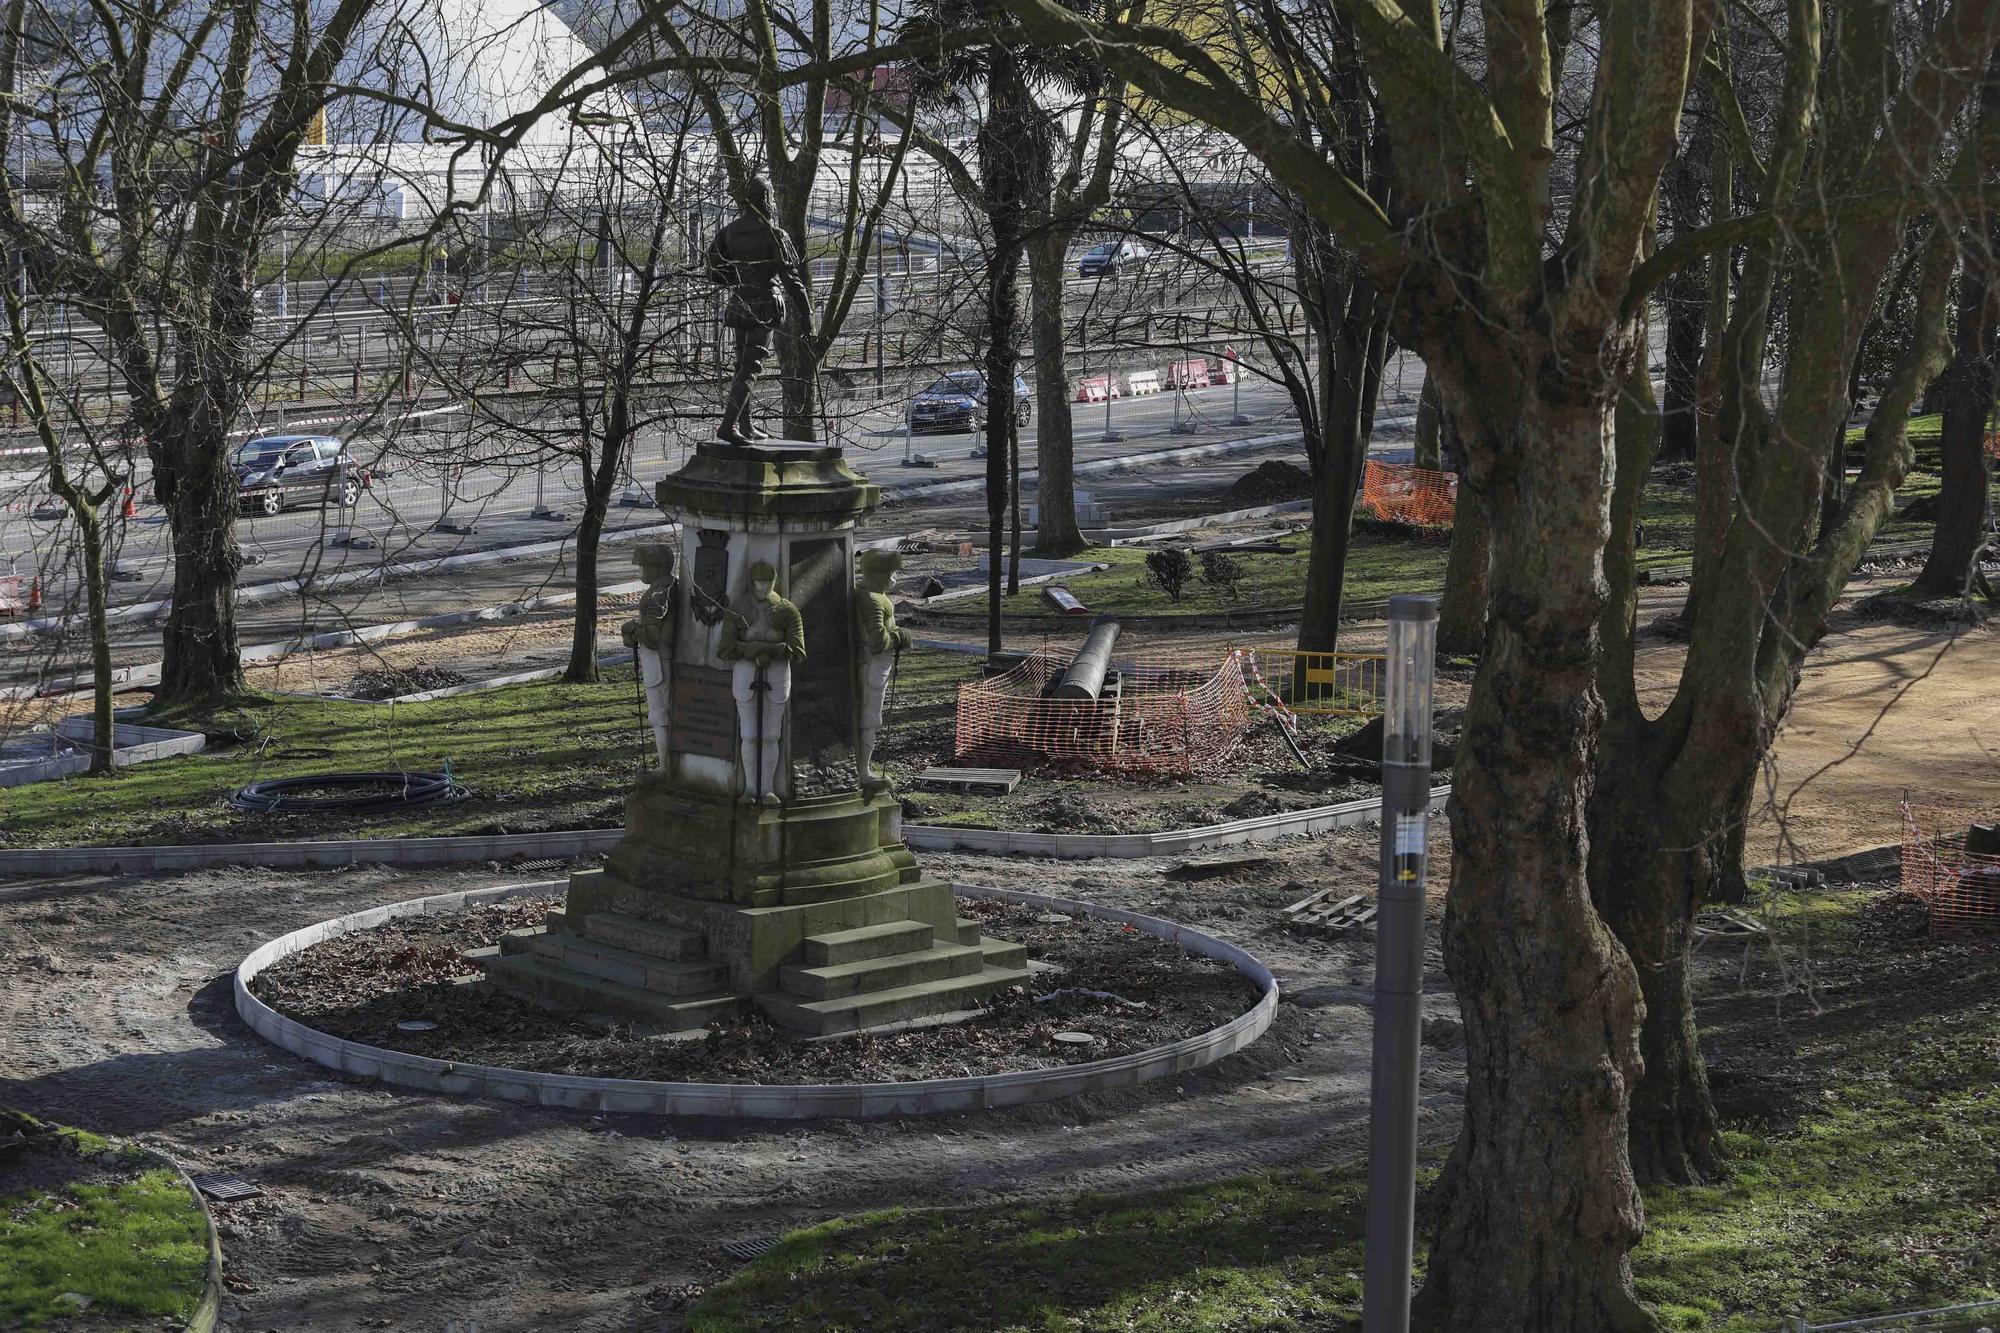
1969,401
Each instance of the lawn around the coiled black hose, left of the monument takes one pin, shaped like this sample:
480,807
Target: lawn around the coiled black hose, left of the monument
535,758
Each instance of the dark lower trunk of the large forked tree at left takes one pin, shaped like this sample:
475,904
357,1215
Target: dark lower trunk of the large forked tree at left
201,661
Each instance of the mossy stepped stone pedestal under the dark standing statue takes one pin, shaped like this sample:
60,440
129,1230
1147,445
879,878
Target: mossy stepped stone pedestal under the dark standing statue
807,906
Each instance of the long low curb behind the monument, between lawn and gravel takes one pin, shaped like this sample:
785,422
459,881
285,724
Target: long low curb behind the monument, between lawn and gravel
31,864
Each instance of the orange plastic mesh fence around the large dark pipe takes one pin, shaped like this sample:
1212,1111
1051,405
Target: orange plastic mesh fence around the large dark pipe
1163,716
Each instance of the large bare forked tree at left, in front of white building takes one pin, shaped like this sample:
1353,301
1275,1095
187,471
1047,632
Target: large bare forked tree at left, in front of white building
175,135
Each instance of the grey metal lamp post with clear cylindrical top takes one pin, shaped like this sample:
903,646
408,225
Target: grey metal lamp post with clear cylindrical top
1399,1002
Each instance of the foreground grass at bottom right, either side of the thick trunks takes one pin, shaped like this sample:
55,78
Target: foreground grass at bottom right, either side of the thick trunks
1881,1198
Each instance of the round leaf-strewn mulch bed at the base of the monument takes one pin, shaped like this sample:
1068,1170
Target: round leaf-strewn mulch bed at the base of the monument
1125,988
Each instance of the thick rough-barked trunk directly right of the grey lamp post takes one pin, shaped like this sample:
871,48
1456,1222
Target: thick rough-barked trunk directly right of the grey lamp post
1539,1208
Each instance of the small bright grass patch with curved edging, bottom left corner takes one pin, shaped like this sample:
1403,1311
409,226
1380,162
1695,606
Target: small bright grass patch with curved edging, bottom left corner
131,1248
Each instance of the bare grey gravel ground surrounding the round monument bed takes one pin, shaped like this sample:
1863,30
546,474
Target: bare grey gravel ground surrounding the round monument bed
429,1214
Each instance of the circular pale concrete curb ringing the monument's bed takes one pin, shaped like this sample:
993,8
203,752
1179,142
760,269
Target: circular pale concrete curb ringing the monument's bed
775,1102
